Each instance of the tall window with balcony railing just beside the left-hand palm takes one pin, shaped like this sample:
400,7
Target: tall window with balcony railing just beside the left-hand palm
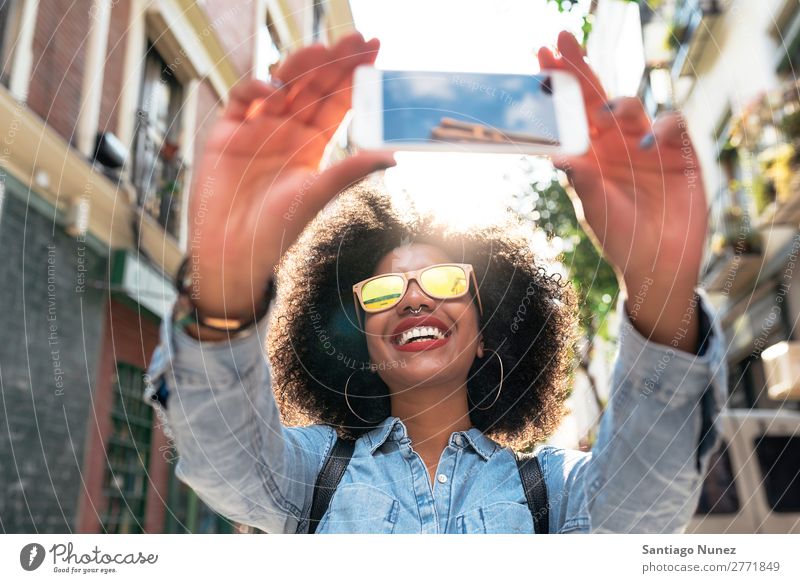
157,166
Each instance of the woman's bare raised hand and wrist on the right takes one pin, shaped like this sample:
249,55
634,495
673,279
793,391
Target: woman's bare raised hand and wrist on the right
642,195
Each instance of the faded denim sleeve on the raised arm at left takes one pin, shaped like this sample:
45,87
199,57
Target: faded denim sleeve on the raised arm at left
215,403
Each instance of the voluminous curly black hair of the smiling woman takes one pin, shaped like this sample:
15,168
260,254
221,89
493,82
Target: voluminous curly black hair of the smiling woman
315,343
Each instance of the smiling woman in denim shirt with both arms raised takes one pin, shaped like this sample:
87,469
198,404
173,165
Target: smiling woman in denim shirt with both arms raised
408,337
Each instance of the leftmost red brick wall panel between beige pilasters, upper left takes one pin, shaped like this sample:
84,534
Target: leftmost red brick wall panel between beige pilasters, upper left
58,60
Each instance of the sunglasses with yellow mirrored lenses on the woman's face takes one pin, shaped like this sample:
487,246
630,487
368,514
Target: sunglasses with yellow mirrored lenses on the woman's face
444,281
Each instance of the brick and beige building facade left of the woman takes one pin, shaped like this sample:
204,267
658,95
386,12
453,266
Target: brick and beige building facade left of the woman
103,106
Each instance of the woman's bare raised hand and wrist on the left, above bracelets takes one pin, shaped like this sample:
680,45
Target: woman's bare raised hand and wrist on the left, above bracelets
257,184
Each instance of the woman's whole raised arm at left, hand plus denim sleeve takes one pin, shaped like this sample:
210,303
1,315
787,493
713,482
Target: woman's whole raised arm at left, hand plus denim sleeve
255,188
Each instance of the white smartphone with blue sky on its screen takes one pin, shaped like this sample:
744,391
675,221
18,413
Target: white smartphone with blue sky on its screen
470,112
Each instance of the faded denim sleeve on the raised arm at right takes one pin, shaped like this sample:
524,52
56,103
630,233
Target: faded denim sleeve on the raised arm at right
656,437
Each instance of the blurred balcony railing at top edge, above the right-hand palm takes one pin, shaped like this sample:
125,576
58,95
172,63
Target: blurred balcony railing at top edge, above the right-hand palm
691,31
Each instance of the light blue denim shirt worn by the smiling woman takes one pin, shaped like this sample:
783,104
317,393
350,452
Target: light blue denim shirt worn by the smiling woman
643,474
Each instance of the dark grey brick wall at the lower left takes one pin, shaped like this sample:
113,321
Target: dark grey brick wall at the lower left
49,345
